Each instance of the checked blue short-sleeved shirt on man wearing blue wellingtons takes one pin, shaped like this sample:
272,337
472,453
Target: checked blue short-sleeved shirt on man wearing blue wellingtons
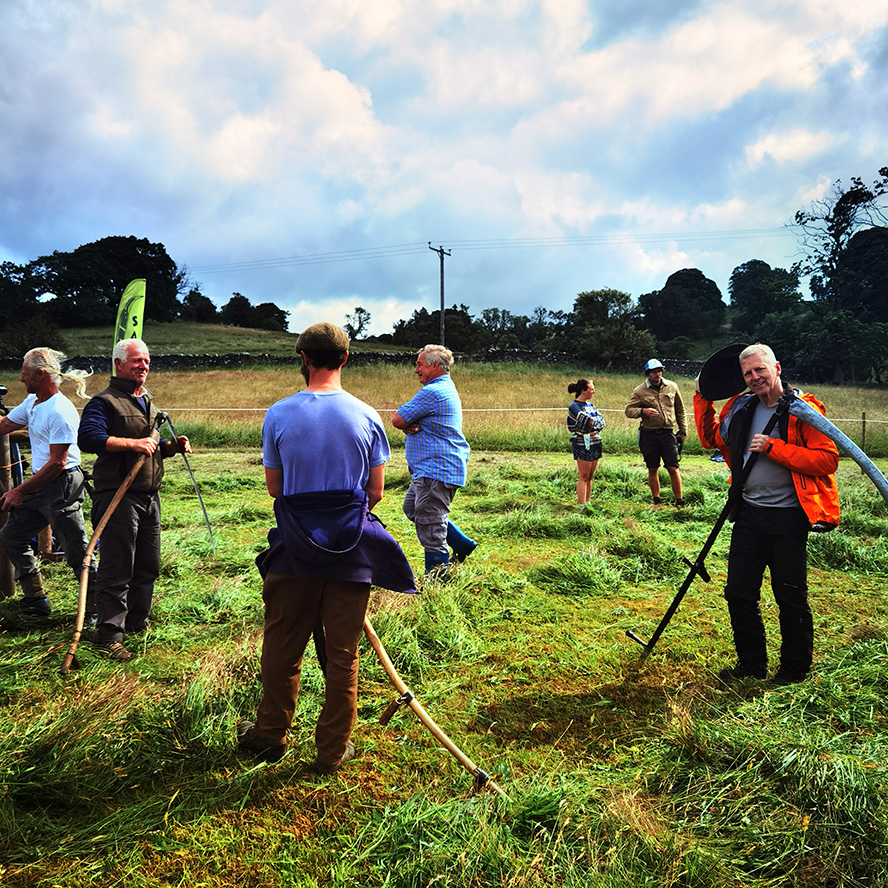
438,450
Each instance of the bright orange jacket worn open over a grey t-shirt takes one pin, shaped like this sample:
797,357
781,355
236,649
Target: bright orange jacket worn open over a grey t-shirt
810,456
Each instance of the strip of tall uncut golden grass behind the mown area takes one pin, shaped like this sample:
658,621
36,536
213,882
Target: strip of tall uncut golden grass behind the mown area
507,407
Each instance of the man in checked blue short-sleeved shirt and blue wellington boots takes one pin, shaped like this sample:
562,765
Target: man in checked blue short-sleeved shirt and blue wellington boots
437,454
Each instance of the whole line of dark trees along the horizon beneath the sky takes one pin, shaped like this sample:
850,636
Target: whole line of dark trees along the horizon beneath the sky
840,332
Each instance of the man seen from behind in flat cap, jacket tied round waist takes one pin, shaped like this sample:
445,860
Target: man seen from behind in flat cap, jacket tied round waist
324,453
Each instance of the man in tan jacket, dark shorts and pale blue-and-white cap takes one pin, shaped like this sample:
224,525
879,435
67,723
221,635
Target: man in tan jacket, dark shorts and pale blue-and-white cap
657,403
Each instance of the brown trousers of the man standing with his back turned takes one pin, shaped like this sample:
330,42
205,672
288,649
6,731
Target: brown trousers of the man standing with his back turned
293,607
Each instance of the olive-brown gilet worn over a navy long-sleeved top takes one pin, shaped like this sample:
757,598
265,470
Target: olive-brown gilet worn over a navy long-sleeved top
129,422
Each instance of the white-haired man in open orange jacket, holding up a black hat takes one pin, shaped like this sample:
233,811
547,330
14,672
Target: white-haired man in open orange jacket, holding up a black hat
791,488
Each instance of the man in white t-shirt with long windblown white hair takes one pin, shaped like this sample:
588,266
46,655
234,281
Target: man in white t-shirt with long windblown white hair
54,493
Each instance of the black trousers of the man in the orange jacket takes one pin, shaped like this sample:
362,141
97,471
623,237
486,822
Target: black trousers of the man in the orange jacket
776,539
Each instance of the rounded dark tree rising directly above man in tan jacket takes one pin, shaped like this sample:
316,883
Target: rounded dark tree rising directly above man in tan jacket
689,305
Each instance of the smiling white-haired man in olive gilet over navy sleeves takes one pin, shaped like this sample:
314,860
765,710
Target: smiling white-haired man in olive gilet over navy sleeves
116,424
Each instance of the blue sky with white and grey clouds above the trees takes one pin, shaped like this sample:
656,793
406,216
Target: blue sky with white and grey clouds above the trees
306,153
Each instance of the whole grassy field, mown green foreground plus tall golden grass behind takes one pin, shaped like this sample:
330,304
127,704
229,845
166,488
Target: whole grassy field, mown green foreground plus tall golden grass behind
620,772
